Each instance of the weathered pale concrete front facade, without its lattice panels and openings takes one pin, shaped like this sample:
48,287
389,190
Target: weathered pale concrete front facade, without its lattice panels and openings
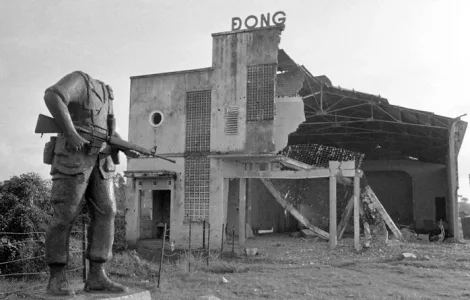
227,79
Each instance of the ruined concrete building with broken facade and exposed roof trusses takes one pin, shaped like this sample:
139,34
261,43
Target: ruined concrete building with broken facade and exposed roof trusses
249,117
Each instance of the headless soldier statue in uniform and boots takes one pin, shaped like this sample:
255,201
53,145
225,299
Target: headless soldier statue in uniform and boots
82,171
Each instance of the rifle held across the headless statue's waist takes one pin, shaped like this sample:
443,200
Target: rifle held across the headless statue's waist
96,137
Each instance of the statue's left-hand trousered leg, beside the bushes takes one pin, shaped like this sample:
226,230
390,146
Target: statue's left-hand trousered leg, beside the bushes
66,198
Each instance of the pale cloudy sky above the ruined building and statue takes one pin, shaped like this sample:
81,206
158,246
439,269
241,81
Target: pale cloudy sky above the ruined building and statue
414,53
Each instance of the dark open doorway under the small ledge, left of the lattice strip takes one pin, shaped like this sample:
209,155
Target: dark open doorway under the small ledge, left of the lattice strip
160,212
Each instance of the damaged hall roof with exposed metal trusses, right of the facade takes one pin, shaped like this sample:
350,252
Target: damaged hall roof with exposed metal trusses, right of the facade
363,122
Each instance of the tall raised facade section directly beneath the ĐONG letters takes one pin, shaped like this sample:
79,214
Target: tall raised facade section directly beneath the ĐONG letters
231,55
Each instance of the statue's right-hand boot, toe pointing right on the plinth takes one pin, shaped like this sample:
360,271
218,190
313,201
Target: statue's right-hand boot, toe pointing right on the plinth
98,281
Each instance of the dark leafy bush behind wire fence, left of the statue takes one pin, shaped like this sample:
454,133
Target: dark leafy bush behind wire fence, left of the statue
24,208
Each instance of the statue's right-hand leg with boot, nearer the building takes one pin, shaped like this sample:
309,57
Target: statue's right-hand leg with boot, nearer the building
102,205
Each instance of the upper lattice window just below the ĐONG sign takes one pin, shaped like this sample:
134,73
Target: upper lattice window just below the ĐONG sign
260,92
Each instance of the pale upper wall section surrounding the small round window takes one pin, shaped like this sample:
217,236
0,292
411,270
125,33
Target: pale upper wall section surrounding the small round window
166,93
